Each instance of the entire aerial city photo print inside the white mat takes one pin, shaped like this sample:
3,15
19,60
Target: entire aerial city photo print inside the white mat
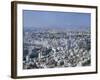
49,43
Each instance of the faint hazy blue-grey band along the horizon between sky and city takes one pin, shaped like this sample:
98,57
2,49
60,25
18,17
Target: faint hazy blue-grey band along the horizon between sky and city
57,28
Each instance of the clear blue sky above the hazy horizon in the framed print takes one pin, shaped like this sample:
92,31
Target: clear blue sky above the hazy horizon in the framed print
55,19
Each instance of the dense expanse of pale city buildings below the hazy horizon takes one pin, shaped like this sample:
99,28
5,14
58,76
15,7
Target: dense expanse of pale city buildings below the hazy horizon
56,49
